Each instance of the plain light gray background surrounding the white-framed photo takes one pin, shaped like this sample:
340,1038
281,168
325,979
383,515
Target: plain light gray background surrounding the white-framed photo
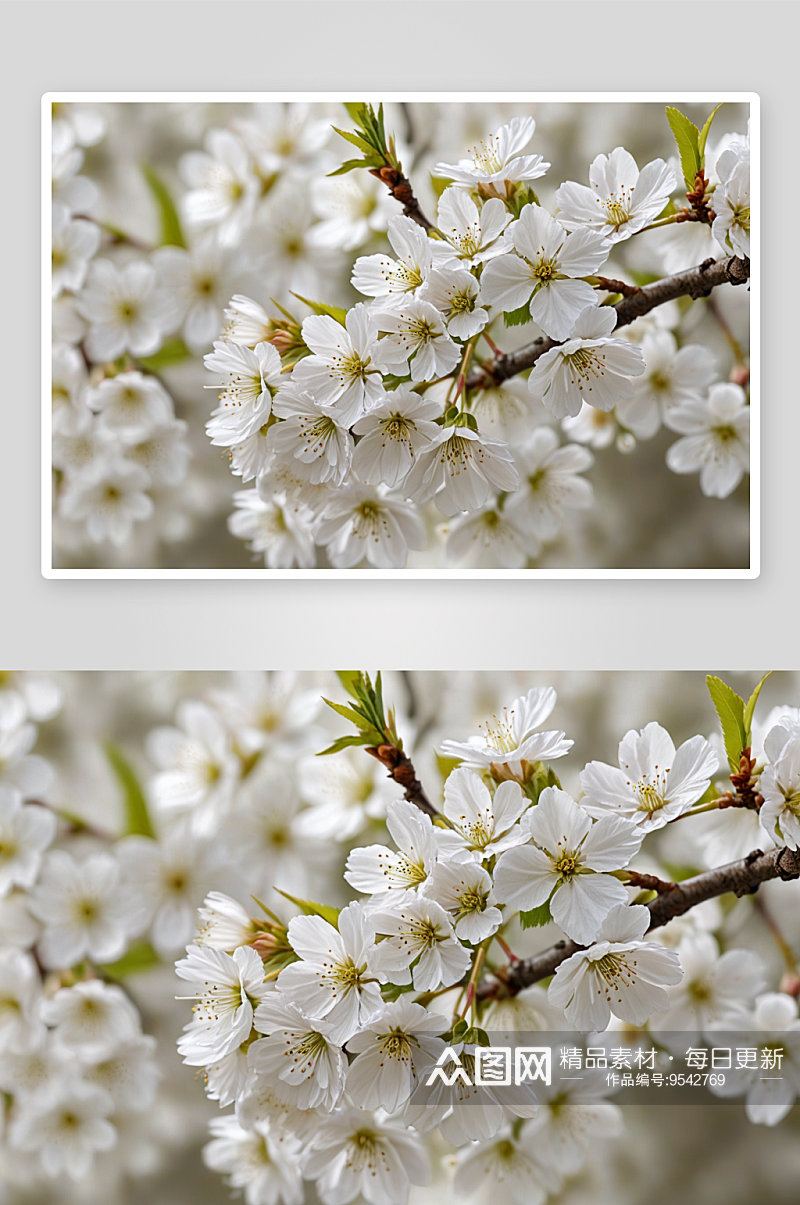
423,46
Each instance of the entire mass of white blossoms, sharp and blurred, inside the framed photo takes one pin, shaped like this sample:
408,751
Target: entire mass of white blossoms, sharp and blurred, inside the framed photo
375,433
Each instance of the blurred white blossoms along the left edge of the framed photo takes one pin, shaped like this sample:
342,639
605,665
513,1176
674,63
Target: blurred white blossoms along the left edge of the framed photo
120,454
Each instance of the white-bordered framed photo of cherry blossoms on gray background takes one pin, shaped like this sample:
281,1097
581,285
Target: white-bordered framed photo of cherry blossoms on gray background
404,336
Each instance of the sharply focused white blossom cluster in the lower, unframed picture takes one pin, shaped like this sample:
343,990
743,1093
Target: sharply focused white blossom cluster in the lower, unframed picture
319,1025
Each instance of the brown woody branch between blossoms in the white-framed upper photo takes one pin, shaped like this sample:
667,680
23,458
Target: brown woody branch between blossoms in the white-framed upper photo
695,283
